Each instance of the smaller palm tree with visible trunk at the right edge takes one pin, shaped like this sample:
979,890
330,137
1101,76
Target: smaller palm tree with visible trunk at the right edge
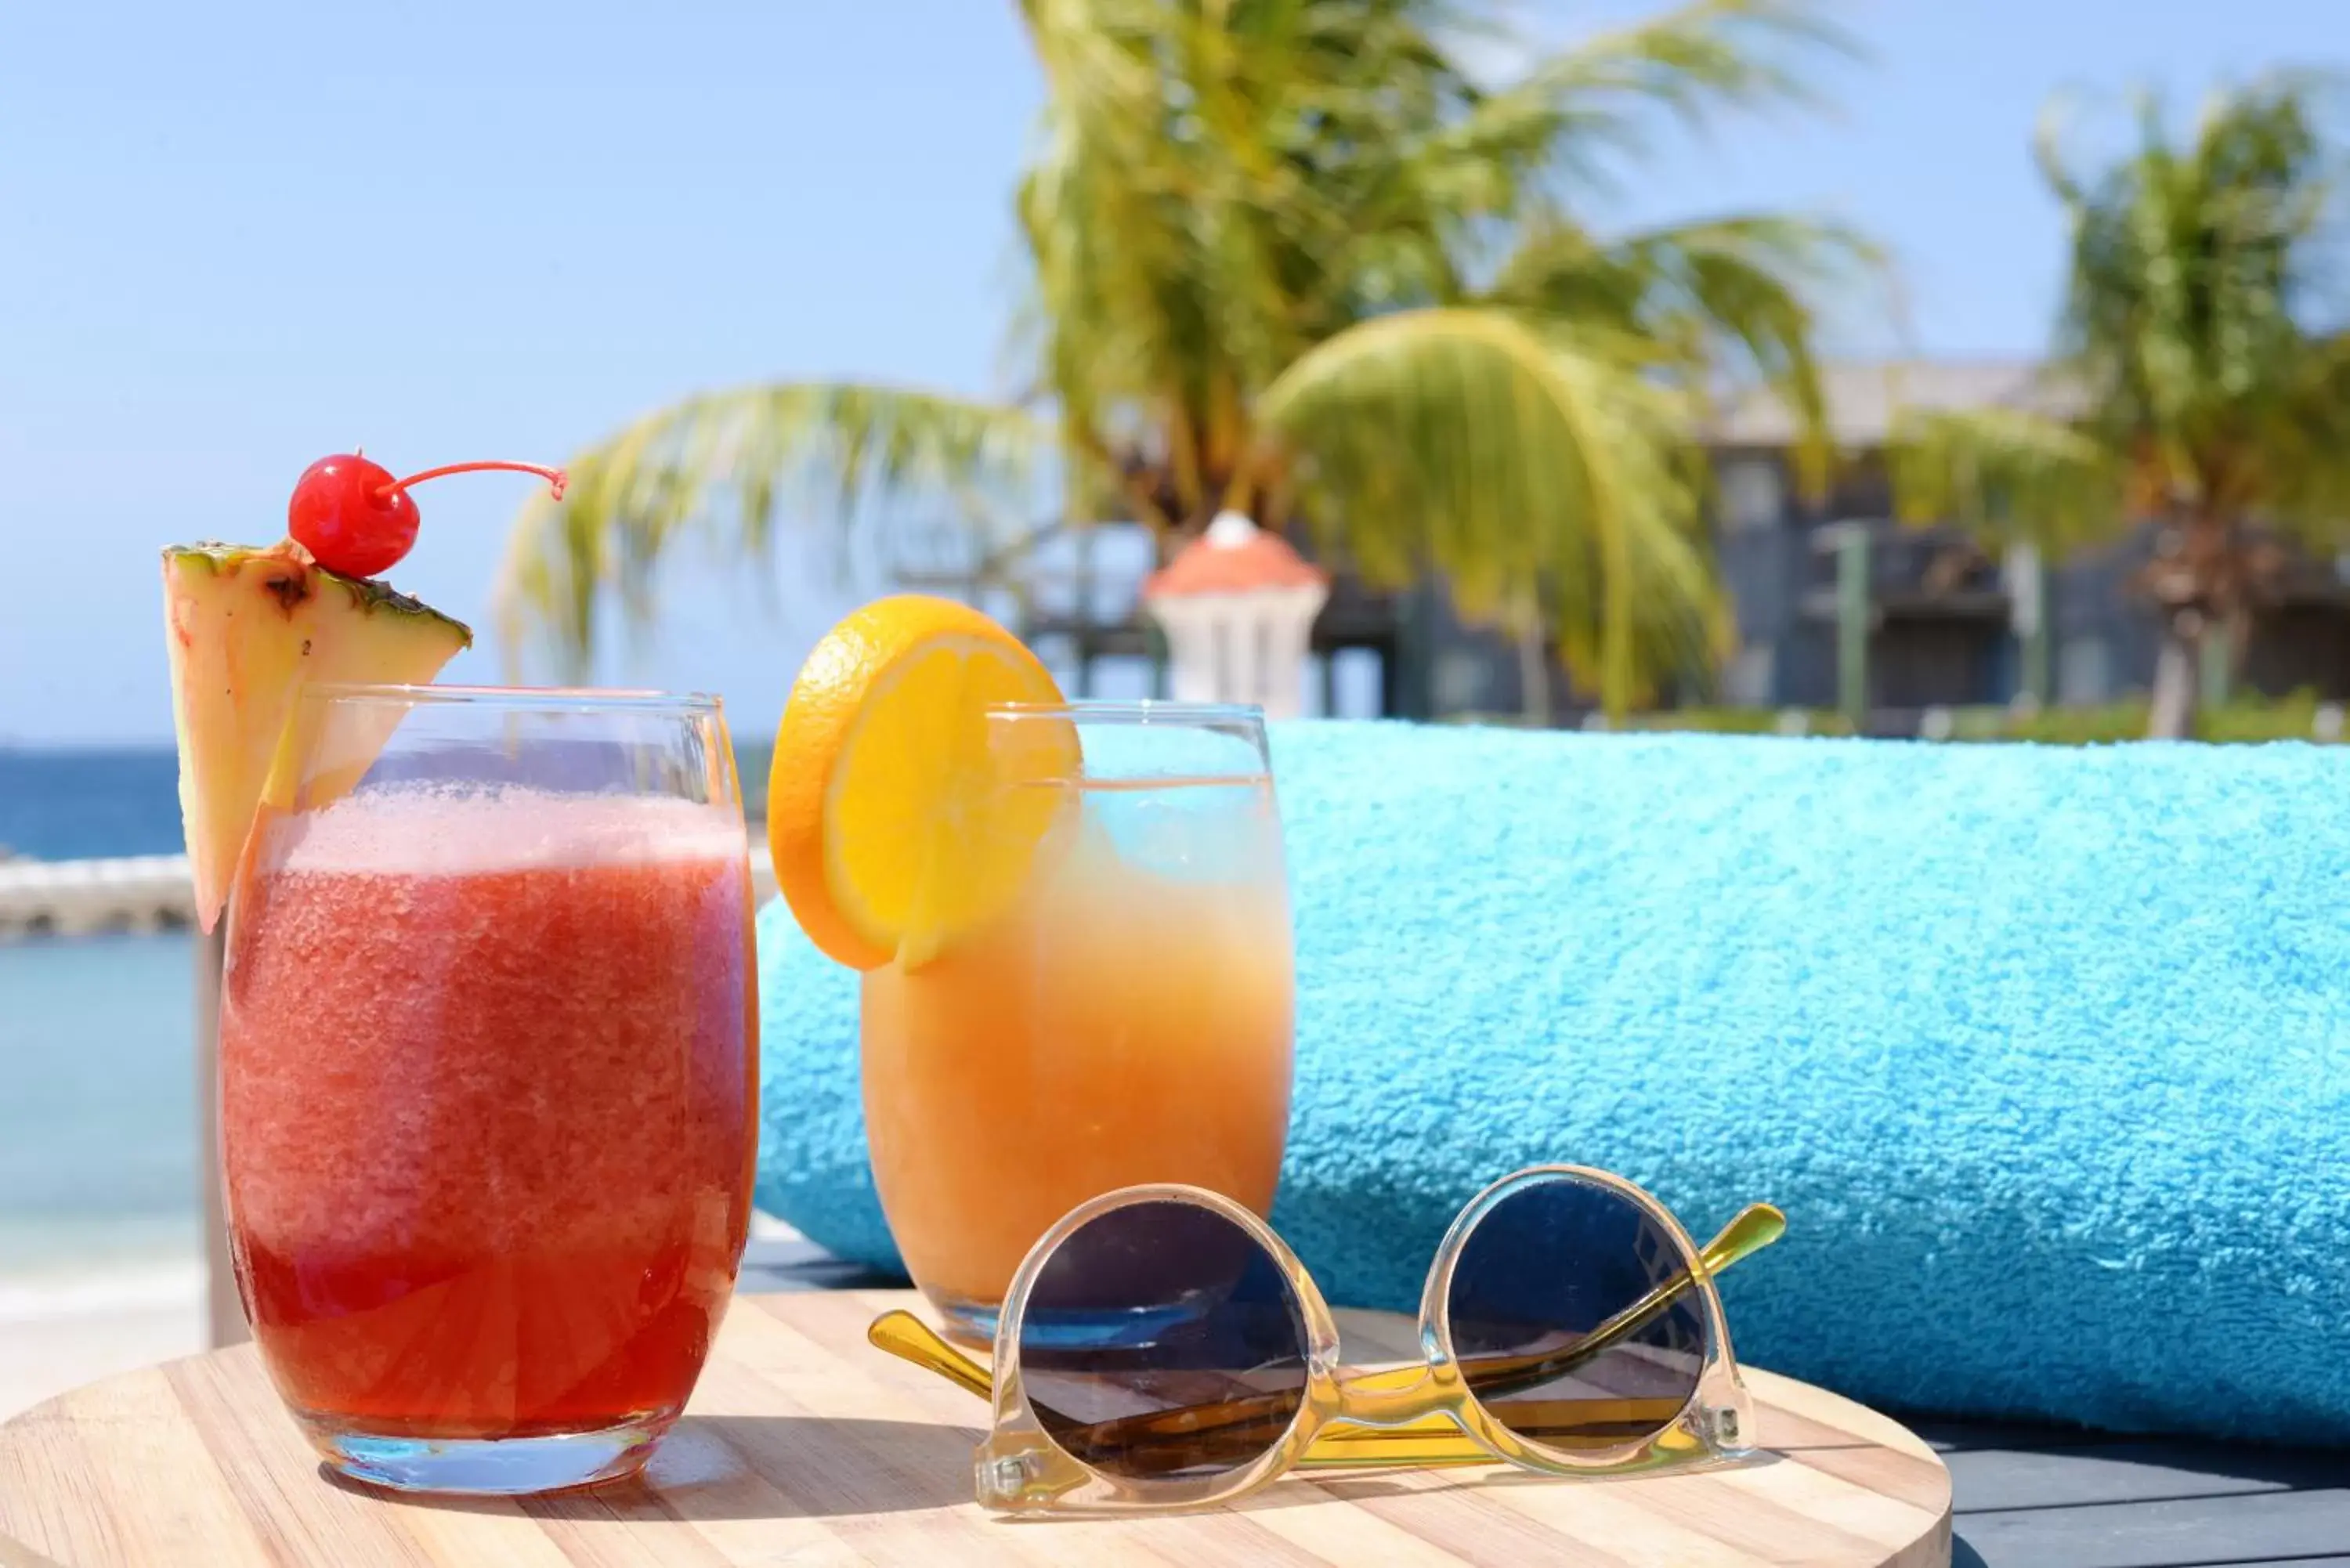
2201,375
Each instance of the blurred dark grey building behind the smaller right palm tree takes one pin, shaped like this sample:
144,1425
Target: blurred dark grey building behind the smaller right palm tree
1926,617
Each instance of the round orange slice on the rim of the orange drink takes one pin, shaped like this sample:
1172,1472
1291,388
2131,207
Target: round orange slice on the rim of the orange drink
897,810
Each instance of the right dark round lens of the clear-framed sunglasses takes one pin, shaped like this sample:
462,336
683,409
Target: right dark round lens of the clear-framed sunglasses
1576,1320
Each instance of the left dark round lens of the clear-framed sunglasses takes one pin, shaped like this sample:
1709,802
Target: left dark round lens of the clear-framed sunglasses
1162,1343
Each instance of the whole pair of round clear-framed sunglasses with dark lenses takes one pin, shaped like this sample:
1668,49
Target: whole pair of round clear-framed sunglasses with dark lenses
1162,1348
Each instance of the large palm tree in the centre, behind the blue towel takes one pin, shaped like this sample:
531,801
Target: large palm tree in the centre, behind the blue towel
1298,260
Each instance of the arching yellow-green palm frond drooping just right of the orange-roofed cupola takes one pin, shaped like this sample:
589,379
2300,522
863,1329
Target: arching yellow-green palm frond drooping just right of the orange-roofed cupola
1505,455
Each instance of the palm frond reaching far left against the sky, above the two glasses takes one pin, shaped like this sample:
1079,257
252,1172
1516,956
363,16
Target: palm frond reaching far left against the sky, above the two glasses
725,467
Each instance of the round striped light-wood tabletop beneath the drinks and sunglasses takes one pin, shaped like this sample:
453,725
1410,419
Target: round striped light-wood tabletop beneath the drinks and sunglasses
810,1447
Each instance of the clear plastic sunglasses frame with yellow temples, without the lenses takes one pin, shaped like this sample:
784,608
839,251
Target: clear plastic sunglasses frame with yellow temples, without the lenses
1421,1414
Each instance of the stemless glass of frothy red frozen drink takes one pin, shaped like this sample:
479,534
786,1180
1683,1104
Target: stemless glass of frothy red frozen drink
488,1078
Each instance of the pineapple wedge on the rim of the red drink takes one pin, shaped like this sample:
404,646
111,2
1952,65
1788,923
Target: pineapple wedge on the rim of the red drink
248,629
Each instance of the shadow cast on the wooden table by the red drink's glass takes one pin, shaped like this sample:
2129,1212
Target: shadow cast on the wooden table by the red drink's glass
756,1468
